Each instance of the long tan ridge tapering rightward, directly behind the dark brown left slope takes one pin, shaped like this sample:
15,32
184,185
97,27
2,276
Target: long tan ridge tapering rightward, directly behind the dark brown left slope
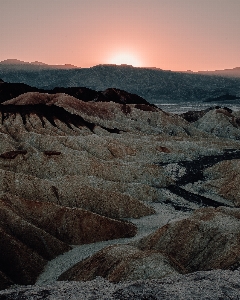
68,191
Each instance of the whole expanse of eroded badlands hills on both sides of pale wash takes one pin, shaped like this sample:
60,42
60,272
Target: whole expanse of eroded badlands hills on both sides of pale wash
72,170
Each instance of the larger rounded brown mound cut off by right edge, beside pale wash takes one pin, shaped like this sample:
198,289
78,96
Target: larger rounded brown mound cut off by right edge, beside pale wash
209,239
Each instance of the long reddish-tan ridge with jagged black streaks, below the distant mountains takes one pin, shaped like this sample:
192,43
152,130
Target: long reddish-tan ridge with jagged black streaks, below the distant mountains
124,117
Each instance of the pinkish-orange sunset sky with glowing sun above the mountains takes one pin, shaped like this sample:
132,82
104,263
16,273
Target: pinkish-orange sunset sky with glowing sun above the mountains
173,35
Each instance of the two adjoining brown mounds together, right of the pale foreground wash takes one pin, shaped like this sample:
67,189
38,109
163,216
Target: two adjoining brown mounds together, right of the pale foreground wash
209,239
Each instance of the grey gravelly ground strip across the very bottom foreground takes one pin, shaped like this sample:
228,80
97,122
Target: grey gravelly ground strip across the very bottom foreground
215,285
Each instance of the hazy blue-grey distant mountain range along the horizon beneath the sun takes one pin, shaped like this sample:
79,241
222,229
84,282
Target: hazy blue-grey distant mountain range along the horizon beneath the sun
153,84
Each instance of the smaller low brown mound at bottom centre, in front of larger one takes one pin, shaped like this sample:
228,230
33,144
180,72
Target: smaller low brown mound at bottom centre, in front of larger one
121,263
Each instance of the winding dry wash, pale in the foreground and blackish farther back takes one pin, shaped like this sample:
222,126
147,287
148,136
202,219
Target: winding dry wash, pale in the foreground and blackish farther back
165,213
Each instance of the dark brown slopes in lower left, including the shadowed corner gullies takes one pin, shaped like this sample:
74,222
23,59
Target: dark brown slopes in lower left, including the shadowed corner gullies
33,232
